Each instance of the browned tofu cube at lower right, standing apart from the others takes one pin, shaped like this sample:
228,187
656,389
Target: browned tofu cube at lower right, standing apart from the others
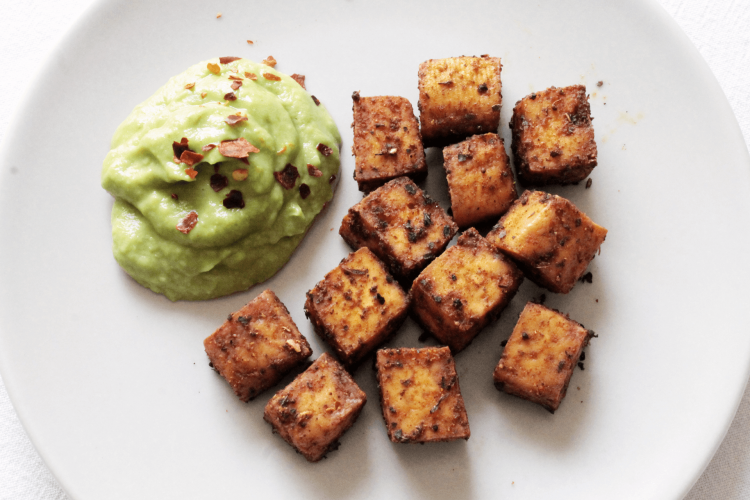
540,356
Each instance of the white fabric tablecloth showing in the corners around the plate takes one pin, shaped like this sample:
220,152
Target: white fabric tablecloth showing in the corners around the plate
720,29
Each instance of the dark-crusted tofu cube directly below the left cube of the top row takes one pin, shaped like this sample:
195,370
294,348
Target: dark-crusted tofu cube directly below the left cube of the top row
401,225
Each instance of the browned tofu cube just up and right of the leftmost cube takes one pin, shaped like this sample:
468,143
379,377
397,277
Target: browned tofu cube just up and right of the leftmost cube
357,306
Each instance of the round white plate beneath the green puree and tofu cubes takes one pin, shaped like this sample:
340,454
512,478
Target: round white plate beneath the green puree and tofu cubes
111,381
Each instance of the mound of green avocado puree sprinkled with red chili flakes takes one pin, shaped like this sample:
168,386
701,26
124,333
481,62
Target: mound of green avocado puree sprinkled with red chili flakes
229,248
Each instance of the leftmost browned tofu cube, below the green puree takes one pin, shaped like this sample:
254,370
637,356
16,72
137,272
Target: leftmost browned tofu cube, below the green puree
257,346
